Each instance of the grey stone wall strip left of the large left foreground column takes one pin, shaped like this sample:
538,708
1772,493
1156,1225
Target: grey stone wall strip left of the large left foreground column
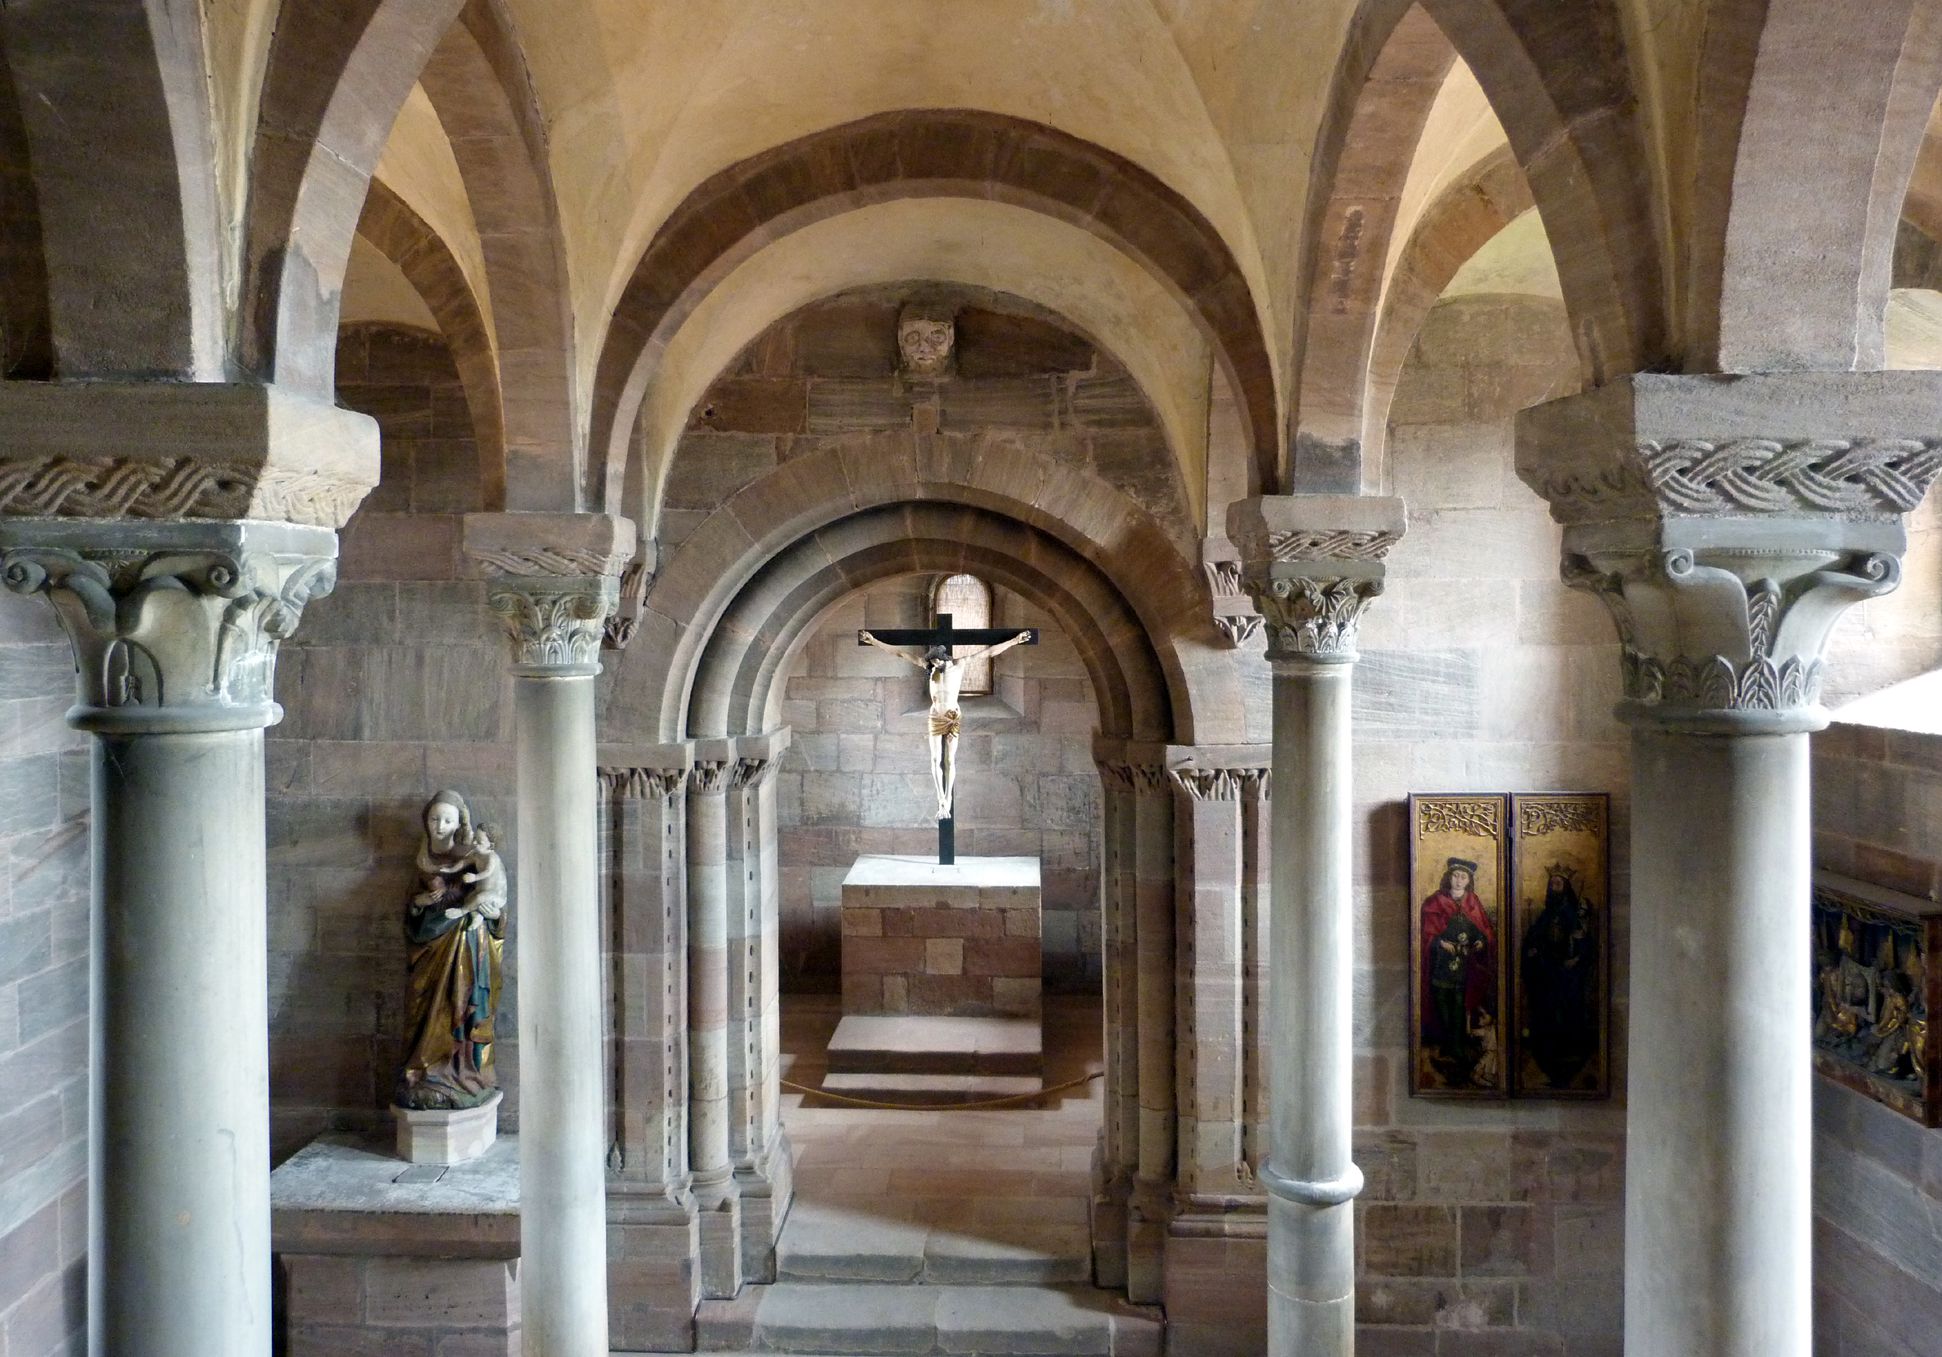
44,991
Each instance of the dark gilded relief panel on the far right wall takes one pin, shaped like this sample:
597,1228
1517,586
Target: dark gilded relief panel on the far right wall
1875,991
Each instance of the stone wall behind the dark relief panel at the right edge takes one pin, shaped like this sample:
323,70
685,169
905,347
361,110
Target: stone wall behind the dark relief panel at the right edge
1877,1175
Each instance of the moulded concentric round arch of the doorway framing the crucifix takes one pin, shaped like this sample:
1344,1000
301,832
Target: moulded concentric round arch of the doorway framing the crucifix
737,686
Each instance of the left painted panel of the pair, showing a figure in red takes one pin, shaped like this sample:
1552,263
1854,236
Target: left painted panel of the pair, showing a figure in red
1459,972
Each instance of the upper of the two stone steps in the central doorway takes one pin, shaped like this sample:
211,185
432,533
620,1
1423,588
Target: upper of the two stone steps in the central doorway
828,1241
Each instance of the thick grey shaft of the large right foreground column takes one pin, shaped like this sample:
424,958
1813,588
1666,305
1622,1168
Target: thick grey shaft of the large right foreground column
1720,1131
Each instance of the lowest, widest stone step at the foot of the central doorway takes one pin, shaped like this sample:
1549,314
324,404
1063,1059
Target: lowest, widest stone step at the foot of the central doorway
921,1321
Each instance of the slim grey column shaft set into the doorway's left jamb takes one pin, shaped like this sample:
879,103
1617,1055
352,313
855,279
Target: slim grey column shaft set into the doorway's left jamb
708,993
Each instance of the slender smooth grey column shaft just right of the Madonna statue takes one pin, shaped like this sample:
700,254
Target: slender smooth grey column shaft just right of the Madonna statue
562,1156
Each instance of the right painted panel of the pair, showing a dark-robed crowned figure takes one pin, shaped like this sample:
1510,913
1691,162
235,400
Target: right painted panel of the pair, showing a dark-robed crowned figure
1562,944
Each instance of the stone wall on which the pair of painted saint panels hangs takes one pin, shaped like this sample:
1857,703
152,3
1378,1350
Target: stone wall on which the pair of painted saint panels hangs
1487,1228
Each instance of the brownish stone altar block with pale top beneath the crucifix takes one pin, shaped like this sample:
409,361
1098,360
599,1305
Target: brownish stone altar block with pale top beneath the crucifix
956,941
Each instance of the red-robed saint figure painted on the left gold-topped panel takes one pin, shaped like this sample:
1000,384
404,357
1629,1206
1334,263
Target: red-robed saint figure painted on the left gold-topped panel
1459,977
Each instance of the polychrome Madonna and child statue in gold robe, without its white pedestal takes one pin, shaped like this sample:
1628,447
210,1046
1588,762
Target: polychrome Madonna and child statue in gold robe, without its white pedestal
455,931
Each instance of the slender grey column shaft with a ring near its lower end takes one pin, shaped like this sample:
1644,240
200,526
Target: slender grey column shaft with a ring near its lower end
1312,1240
